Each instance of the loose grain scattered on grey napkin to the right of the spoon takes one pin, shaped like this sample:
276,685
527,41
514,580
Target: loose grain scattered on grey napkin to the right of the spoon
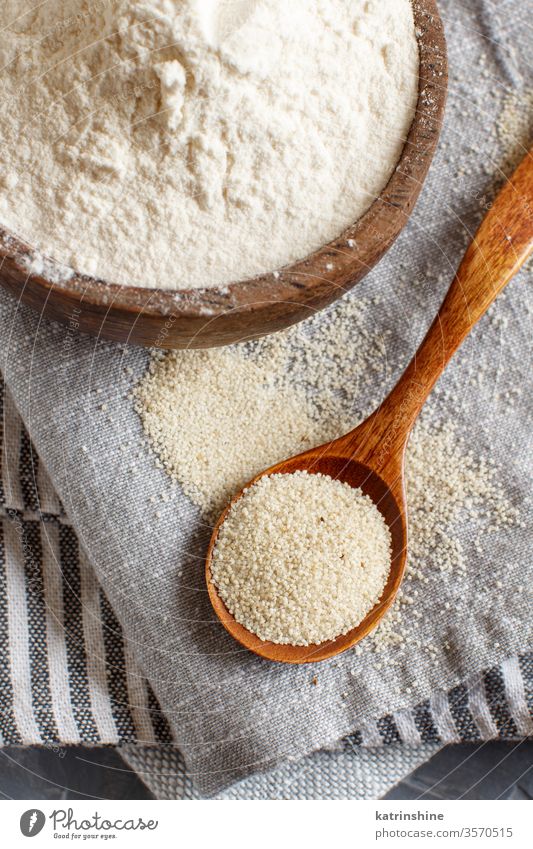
447,487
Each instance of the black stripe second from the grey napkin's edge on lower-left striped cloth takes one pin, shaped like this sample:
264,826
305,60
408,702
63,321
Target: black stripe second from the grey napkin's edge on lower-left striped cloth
117,682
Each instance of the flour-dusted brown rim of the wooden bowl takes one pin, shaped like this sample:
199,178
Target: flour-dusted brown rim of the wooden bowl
316,280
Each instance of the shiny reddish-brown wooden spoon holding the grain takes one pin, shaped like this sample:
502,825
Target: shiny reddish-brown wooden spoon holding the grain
372,455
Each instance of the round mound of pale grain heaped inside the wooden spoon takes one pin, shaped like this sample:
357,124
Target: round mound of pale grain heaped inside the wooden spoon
301,558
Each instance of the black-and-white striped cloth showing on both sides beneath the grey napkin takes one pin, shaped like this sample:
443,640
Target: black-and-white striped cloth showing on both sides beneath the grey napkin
67,675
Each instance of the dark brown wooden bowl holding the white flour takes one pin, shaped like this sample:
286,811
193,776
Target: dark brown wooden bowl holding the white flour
206,318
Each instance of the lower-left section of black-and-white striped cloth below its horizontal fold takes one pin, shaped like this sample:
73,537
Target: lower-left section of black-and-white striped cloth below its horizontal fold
63,673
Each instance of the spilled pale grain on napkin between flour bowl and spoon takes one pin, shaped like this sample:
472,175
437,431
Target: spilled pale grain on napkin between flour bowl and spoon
217,418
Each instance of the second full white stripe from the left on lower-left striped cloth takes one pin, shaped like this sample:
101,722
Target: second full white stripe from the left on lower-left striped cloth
55,629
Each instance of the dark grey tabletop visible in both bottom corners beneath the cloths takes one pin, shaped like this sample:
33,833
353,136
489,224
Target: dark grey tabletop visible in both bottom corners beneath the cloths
485,771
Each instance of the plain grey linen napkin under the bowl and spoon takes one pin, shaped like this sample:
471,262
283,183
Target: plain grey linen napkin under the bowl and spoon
232,714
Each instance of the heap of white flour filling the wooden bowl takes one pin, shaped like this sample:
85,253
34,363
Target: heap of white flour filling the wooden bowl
190,143
